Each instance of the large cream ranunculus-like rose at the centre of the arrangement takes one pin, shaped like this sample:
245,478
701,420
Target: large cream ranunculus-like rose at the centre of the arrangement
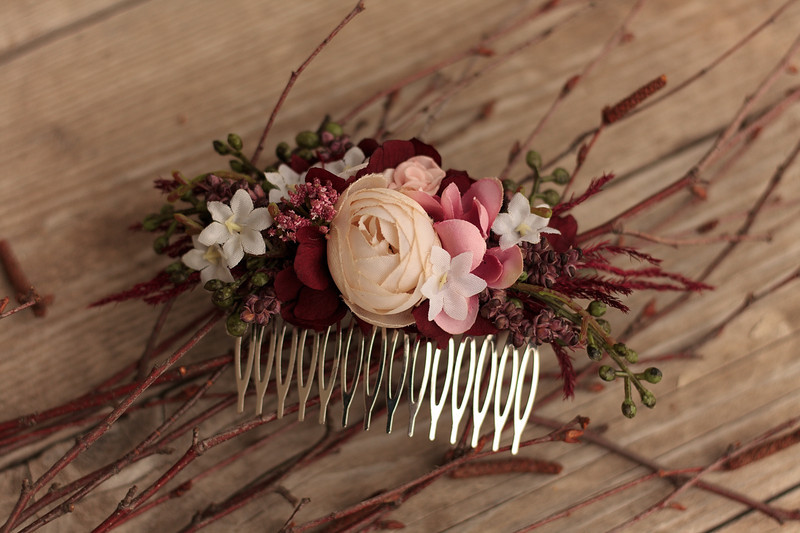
379,247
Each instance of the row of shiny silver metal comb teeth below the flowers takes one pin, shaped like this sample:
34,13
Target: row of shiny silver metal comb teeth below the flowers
468,371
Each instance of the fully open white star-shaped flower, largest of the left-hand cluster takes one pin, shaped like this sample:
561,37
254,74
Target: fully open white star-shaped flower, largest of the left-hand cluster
237,228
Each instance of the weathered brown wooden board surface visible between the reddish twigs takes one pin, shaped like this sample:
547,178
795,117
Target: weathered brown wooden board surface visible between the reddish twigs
100,97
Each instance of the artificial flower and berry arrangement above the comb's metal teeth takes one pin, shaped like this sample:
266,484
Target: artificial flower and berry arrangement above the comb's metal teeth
381,234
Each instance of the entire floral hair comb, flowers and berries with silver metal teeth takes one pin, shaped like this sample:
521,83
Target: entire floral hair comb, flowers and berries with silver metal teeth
369,267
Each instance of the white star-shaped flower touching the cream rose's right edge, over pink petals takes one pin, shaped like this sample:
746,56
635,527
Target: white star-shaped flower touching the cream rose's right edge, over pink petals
451,284
